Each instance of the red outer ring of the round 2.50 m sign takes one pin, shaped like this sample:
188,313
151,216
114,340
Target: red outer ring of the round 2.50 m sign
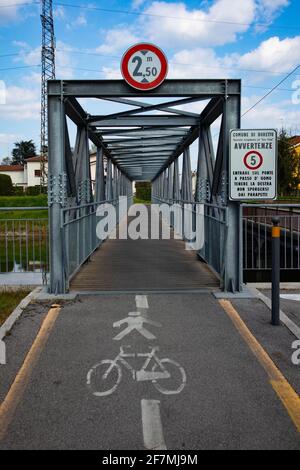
134,83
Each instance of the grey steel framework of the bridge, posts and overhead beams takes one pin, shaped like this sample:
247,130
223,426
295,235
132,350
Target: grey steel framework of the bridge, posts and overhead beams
143,142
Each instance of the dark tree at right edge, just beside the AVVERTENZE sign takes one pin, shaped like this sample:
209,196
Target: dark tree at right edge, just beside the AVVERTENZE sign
288,165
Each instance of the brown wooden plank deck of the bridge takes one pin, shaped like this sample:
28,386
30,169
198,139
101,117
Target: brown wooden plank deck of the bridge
128,265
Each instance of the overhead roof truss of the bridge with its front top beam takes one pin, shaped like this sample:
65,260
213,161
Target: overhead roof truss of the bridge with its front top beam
146,138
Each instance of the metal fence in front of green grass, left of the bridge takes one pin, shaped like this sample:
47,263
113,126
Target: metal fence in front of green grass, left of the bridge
24,241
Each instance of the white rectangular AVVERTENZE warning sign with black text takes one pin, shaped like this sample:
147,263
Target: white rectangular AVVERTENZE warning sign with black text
253,164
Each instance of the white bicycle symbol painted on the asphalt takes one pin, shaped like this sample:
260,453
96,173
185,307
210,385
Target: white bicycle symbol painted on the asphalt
103,378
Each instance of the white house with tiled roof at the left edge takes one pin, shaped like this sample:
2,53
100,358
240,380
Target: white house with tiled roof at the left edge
26,175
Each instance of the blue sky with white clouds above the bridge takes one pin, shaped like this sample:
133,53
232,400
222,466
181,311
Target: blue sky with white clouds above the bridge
255,40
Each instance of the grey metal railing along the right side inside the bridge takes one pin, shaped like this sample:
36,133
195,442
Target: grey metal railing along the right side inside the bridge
211,223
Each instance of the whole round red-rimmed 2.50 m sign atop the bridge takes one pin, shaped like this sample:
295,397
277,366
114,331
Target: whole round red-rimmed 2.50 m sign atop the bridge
144,66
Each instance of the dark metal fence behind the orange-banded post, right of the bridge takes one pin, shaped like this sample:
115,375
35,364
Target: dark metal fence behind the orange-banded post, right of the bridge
257,224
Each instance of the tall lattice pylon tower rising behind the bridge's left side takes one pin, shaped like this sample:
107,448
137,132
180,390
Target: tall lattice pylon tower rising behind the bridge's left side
48,73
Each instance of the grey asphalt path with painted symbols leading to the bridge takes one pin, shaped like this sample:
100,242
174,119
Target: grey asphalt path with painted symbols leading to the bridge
224,400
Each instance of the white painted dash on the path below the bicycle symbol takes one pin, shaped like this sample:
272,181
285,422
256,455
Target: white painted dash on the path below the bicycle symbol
152,427
